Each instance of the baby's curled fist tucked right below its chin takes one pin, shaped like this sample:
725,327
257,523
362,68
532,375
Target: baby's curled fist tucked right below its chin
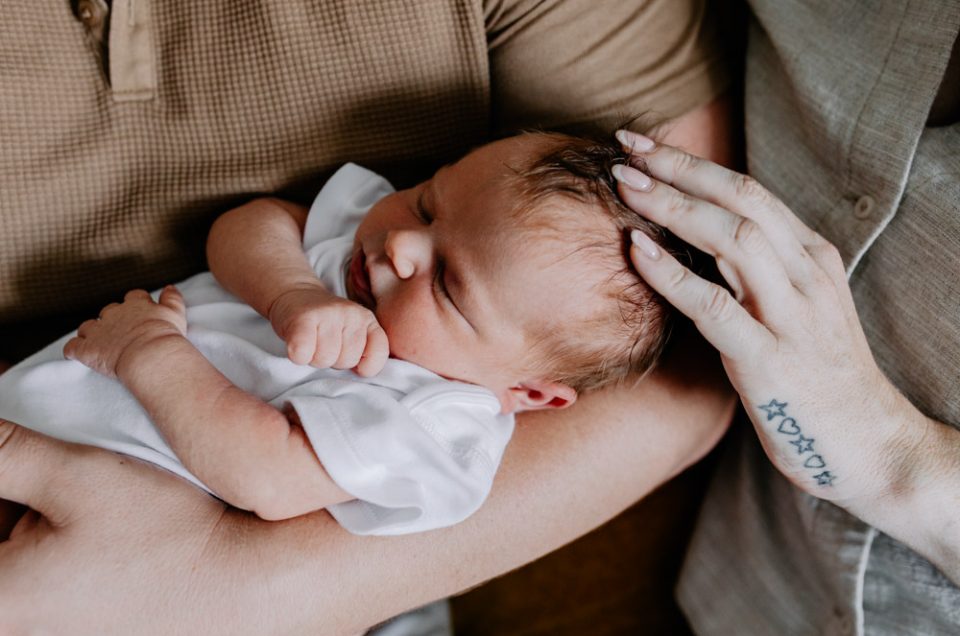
324,330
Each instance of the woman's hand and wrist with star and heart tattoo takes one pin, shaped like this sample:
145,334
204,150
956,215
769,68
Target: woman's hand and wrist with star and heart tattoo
794,350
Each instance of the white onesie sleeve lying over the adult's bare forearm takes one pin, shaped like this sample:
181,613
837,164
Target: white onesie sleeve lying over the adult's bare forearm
414,462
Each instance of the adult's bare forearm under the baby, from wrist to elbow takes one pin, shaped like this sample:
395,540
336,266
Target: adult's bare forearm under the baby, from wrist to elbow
563,474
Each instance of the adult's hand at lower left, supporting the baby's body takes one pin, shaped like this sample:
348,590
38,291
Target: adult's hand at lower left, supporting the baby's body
109,524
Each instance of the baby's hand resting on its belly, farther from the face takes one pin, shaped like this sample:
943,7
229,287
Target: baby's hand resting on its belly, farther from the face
123,327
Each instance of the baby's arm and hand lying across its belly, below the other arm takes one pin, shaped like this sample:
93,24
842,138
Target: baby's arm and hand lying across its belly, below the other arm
249,453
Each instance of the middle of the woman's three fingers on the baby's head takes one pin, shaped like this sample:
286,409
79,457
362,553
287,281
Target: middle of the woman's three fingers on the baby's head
746,258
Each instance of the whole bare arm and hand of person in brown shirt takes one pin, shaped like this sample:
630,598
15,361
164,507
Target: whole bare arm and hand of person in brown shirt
187,564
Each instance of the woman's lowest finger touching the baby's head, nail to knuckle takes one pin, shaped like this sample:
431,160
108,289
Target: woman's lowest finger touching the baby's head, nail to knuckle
719,317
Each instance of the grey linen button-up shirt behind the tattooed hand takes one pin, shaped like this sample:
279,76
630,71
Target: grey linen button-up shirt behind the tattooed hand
837,99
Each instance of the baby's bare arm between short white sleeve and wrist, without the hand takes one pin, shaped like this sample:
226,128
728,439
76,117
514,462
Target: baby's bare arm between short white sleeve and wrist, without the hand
242,448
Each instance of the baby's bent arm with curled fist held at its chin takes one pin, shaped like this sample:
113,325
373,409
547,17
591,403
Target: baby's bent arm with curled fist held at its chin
255,251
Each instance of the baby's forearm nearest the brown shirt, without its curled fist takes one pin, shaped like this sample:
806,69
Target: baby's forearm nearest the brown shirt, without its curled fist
256,252
